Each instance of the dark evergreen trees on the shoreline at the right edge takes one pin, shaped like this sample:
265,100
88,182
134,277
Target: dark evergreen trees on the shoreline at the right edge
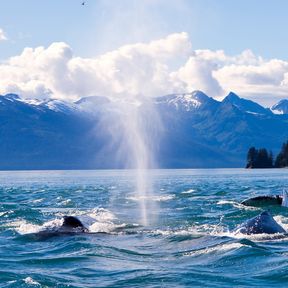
261,158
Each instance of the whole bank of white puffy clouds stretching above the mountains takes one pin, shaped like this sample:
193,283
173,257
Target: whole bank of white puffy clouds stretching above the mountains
164,66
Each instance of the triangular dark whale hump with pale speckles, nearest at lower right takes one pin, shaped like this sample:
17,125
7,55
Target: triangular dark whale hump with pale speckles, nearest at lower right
263,223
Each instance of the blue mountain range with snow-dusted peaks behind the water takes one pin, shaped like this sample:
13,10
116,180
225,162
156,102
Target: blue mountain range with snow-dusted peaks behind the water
196,132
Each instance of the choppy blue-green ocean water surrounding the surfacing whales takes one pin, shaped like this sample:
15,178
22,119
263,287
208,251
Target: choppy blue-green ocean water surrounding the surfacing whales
189,241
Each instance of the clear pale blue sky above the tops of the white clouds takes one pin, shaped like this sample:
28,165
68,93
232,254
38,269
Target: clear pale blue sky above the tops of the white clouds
104,25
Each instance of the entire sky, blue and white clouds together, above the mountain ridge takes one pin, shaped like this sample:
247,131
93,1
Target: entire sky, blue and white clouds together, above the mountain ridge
174,45
